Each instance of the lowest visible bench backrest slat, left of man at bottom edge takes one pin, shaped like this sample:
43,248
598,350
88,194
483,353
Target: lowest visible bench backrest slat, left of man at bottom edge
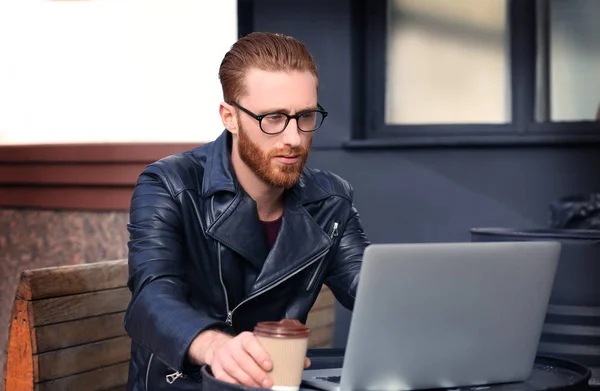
107,378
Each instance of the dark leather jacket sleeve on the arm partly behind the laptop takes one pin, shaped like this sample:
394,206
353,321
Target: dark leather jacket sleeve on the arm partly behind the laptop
344,271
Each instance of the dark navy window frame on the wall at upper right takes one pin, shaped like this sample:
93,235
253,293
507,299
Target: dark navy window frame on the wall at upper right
369,33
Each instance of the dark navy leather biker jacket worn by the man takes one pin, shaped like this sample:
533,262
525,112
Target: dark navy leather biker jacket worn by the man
198,258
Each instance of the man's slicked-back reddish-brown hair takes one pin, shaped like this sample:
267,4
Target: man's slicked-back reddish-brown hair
265,51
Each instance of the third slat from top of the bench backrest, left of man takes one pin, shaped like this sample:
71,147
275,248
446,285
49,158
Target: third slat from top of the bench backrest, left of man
78,332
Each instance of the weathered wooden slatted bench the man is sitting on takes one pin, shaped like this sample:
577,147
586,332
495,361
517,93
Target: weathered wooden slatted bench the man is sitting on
66,329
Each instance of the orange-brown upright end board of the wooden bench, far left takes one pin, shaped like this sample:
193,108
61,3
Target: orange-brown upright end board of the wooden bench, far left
21,365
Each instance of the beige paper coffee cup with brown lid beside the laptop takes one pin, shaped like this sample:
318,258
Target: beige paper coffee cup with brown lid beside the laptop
286,342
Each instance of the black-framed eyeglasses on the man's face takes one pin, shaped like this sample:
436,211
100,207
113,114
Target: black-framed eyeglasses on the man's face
274,123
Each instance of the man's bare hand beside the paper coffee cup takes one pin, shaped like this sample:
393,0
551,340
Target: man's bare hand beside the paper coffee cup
238,360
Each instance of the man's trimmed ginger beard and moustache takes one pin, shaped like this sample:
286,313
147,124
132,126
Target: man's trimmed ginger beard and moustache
266,168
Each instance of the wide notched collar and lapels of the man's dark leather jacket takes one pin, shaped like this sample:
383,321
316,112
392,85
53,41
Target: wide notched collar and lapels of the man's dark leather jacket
300,238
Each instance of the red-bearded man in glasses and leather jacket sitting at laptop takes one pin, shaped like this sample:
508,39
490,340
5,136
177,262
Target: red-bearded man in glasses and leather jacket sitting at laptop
237,231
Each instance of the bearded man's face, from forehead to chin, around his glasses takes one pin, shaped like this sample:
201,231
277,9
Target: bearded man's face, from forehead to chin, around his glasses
276,159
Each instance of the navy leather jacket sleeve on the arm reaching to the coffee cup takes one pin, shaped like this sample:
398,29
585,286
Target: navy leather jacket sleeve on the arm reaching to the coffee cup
159,316
